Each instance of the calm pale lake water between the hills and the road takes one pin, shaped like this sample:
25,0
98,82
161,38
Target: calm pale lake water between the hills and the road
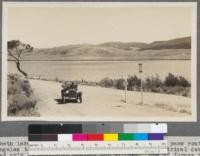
97,70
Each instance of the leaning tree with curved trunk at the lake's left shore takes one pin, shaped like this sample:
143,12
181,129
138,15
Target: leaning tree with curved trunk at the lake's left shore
16,50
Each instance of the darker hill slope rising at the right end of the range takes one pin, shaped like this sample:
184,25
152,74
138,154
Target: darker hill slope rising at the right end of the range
178,43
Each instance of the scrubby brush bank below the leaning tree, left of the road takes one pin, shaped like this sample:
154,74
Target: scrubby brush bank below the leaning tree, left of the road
21,100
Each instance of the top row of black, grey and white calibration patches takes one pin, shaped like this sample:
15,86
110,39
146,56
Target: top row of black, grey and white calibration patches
101,128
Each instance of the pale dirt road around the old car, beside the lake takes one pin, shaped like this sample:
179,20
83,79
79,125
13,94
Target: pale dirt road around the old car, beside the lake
98,101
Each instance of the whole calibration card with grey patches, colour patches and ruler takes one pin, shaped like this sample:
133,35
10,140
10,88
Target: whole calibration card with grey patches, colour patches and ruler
75,139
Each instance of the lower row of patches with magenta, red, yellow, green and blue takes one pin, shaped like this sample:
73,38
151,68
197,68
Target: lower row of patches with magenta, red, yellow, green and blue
97,137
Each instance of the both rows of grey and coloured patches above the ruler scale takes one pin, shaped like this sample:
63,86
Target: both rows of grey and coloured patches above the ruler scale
96,132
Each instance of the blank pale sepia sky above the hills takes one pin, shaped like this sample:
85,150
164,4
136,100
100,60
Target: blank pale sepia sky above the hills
56,26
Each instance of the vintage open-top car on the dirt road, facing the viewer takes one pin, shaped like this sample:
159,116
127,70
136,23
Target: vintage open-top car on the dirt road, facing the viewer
71,93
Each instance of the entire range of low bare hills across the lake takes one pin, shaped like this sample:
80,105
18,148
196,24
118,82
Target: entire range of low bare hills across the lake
179,48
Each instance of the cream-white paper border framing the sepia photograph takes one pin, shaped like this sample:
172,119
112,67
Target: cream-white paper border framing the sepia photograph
193,117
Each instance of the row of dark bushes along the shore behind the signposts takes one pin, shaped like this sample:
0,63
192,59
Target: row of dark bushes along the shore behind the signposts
172,84
